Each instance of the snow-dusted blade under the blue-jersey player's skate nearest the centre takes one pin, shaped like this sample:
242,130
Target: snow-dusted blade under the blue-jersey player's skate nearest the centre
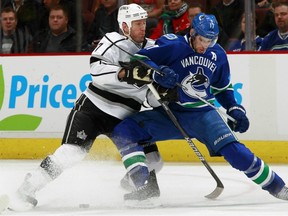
148,203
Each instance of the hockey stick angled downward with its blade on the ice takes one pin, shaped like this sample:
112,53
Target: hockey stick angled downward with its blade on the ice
219,188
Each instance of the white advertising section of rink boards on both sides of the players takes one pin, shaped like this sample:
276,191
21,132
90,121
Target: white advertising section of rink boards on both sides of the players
37,93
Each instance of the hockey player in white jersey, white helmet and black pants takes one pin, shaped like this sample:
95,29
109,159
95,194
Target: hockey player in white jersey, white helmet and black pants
104,104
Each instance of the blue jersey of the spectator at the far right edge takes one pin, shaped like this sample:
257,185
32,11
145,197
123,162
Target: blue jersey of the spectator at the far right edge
274,41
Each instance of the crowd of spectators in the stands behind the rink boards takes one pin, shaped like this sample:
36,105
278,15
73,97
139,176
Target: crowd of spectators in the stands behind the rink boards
41,26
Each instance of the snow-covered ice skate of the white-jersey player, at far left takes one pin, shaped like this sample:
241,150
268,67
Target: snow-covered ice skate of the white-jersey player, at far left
24,198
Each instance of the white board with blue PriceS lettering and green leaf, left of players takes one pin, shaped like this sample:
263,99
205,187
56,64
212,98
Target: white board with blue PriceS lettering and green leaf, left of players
37,93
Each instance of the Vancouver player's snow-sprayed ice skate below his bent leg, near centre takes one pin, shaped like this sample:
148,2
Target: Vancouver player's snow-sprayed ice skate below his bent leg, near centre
146,196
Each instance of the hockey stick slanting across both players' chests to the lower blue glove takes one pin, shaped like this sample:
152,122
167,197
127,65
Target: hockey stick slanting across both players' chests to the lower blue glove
178,84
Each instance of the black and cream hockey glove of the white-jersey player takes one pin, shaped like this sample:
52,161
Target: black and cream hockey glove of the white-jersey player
136,73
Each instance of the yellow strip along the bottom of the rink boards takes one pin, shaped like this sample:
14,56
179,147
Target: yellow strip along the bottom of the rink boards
104,149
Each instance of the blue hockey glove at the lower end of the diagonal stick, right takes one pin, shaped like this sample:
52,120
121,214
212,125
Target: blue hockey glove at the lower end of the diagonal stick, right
239,114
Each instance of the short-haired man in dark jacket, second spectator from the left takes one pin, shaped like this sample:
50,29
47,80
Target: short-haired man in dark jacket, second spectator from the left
59,37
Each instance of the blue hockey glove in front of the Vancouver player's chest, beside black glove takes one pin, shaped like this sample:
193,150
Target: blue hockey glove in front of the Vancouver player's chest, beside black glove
167,79
